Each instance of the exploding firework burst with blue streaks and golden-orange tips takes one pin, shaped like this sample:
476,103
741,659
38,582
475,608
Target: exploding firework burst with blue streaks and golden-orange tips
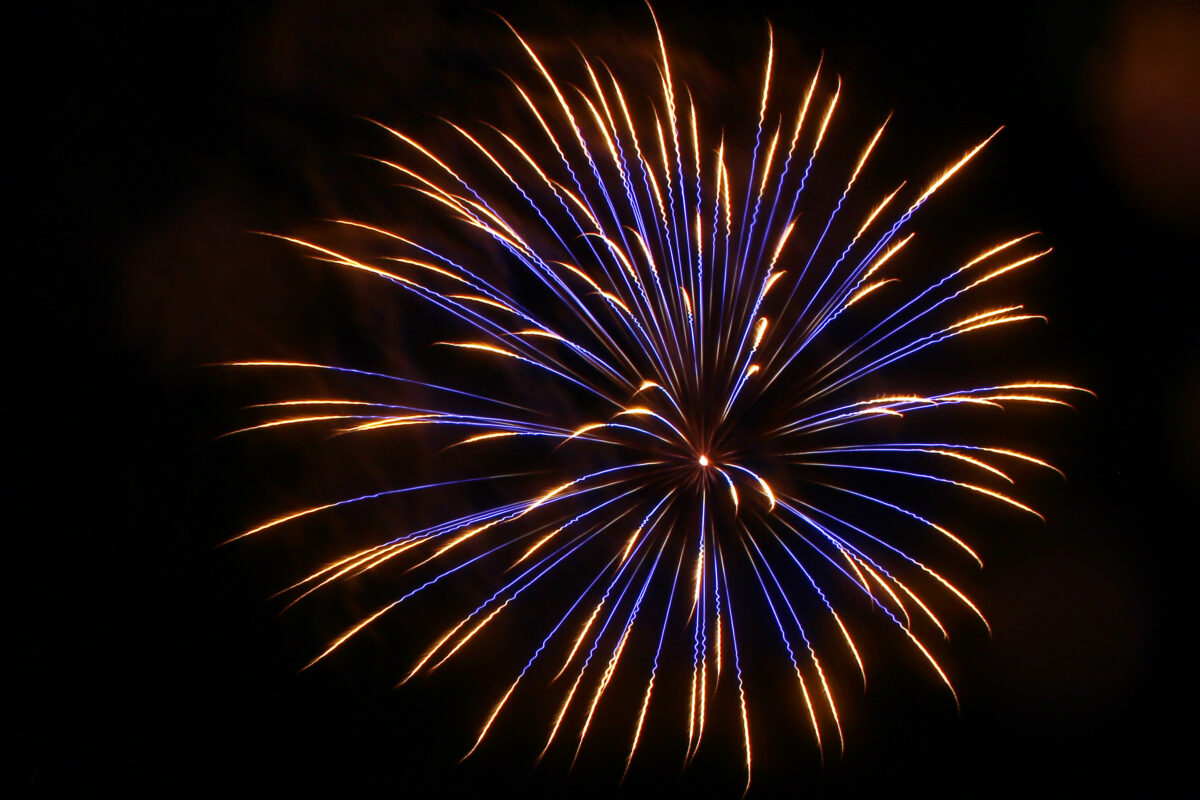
686,387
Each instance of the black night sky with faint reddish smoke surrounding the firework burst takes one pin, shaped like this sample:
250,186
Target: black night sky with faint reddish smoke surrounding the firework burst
152,660
